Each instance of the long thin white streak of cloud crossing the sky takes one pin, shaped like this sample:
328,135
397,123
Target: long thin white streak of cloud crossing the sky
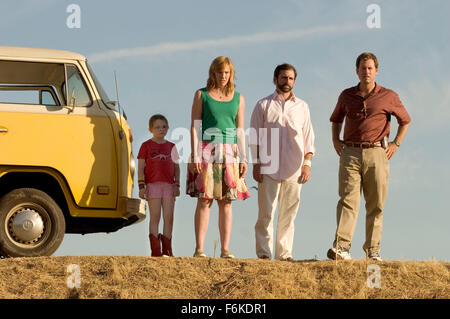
176,47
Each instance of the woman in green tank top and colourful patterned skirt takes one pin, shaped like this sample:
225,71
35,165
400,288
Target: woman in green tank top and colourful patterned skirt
218,162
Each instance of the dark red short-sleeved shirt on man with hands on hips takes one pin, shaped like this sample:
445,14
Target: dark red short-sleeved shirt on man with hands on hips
368,119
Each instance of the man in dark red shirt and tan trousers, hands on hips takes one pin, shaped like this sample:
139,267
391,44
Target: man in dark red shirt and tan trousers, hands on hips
364,154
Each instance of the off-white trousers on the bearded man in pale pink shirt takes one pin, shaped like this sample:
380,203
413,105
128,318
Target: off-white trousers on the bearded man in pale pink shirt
288,195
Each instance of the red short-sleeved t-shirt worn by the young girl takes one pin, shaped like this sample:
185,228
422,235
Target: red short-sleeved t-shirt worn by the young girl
160,160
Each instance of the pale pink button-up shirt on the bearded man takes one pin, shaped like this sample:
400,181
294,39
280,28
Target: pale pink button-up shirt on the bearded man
283,131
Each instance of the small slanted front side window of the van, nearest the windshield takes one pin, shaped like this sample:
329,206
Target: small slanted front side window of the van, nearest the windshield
78,94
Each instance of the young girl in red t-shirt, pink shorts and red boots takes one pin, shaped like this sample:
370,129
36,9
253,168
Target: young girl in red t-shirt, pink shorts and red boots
159,183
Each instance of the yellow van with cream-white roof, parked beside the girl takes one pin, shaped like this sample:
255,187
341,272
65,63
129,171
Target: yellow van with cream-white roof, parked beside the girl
66,162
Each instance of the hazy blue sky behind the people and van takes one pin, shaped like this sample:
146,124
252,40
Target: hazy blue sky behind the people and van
161,52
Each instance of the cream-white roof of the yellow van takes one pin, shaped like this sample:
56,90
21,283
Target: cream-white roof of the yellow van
24,52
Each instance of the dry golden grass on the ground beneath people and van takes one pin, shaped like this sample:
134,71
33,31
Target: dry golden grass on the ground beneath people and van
130,277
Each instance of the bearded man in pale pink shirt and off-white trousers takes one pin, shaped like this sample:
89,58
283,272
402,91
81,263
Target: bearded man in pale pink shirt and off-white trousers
282,145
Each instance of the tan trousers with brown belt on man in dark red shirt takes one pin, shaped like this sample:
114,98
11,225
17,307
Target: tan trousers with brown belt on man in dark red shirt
366,170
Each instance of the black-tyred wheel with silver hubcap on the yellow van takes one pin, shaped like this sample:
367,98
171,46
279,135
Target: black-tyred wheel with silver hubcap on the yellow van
31,224
